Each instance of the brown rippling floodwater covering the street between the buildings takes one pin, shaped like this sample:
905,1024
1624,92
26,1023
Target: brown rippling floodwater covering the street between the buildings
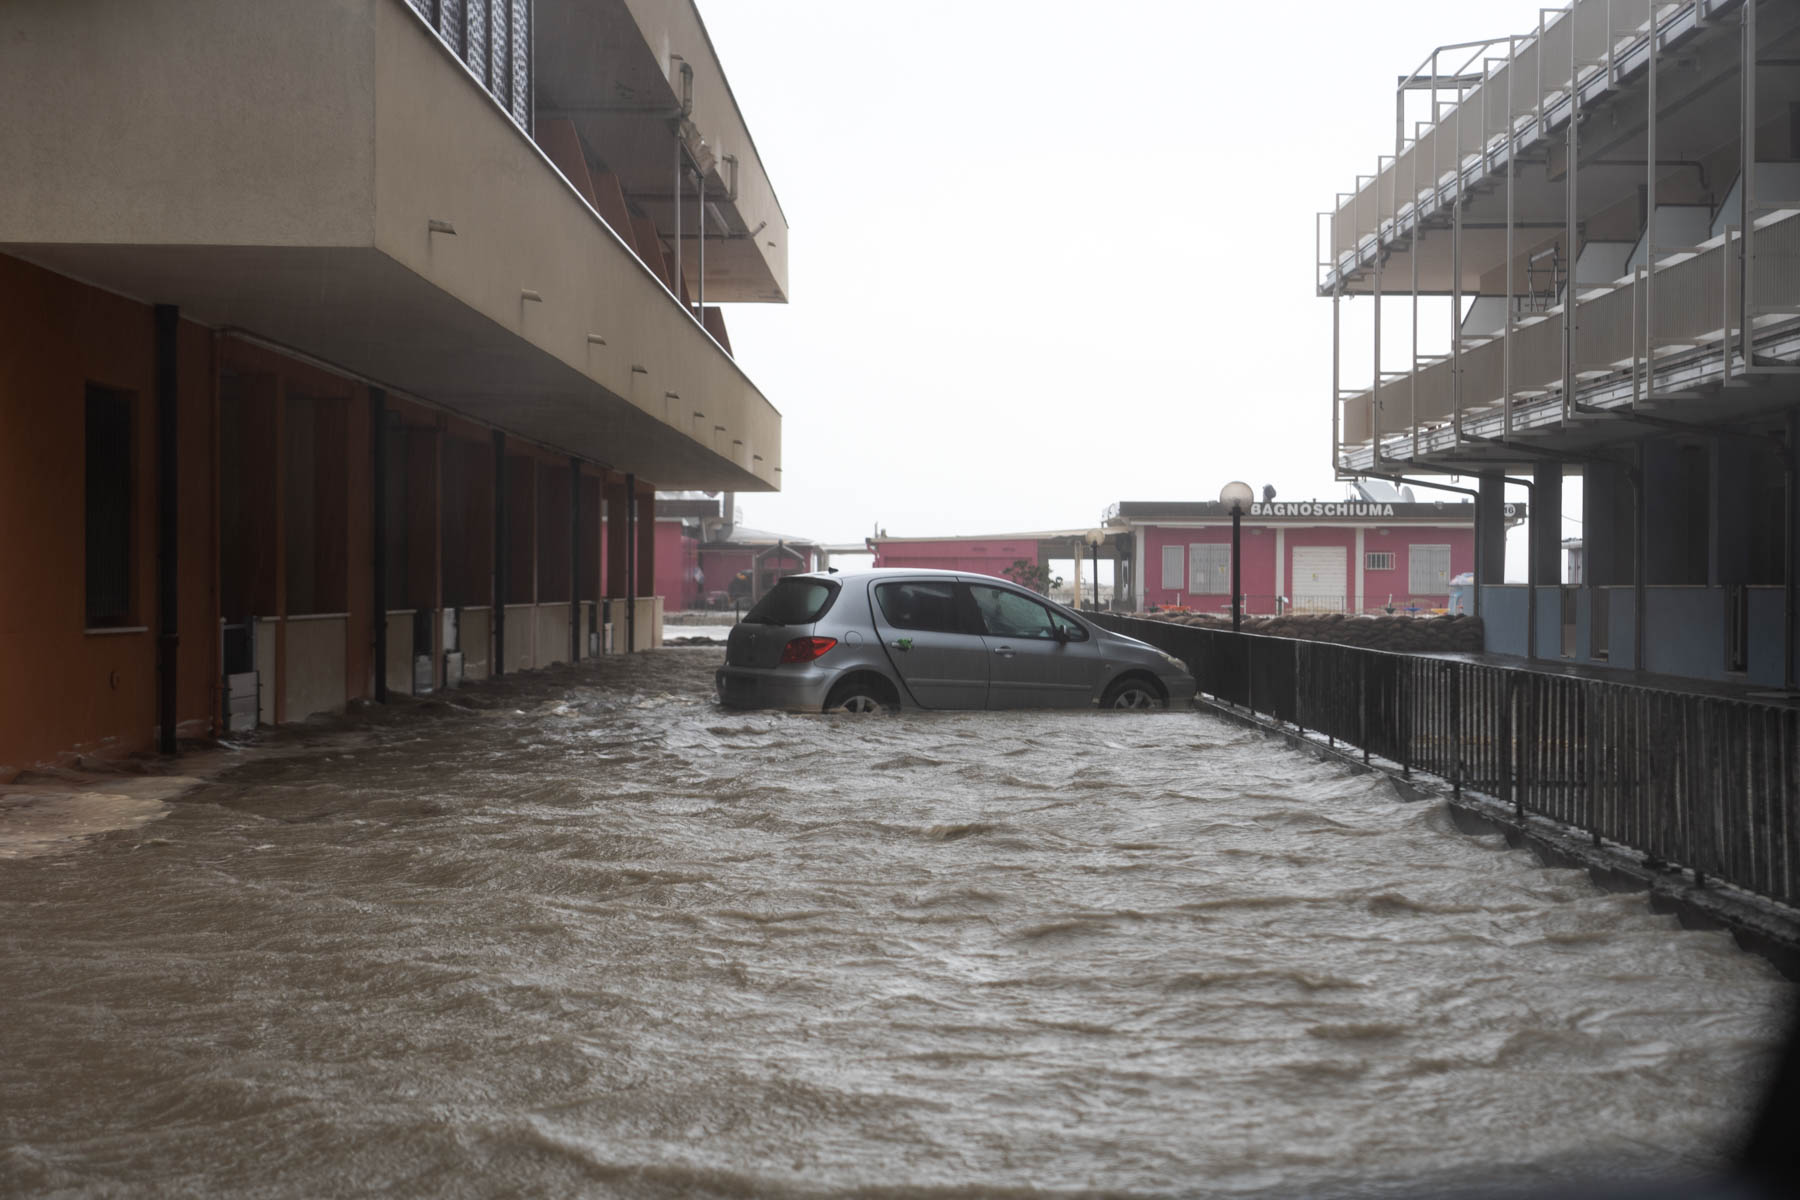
586,935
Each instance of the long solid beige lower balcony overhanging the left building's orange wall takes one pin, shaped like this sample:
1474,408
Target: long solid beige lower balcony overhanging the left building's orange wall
336,183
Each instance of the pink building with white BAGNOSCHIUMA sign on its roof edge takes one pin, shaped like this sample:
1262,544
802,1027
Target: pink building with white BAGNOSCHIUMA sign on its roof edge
1299,557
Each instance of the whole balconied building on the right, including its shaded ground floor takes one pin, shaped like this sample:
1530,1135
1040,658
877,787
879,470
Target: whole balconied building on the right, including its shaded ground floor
1606,215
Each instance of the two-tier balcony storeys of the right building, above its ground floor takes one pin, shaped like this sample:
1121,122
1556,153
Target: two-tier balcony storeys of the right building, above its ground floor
1610,210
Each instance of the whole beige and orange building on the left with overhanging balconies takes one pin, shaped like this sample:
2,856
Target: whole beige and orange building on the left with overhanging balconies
343,348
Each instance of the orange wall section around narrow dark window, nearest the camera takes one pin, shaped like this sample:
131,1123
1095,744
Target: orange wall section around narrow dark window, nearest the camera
62,690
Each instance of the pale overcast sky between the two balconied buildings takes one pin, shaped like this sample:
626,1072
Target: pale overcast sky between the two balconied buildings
1048,256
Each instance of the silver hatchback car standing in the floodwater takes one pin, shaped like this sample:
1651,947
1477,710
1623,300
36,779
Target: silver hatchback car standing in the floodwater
933,640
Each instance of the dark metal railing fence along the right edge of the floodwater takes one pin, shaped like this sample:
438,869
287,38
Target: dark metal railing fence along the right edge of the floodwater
1707,784
